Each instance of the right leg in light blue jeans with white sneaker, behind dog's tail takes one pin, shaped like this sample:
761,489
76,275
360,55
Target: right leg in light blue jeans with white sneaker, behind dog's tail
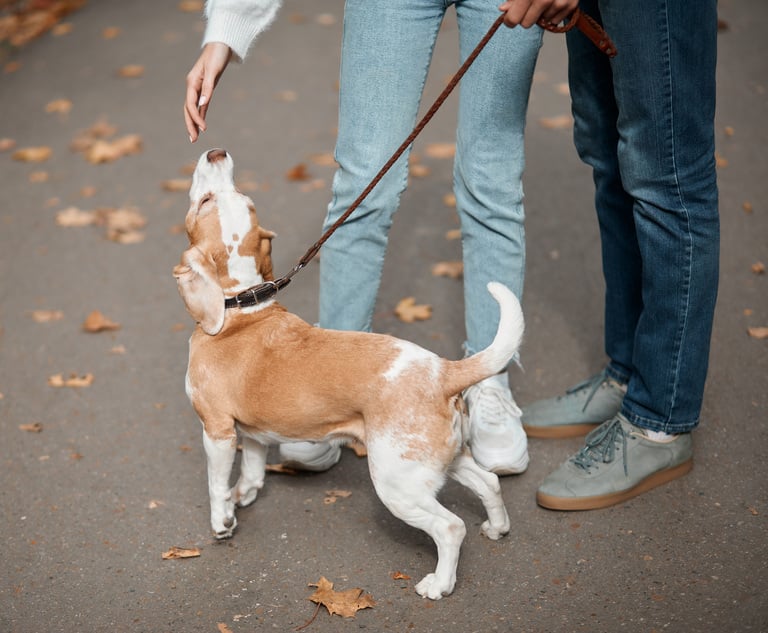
489,199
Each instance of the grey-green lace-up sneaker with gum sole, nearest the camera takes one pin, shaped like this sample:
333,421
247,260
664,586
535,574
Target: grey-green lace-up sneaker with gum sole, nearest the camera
618,462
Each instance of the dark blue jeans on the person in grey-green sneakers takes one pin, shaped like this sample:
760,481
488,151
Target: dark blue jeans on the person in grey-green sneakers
644,122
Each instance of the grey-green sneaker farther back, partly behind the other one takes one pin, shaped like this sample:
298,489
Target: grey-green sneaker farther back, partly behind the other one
581,409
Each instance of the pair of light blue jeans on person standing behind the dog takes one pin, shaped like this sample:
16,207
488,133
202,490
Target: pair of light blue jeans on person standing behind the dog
386,52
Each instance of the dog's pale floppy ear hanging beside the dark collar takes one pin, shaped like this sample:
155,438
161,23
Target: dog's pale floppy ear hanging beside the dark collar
199,287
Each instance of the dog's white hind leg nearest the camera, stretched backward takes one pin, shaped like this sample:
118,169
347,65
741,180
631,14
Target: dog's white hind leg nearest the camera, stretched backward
408,489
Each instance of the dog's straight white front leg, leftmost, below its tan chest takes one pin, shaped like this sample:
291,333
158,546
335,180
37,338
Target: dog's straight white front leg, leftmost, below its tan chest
221,455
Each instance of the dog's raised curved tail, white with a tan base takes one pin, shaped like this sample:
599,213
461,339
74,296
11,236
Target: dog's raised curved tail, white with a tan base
500,352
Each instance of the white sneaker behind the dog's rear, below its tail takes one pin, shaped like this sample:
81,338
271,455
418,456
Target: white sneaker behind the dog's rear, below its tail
496,434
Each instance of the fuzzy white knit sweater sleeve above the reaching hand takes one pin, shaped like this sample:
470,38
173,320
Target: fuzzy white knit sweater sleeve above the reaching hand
237,23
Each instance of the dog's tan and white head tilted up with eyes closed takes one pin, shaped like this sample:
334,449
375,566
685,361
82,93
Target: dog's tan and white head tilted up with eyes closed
228,250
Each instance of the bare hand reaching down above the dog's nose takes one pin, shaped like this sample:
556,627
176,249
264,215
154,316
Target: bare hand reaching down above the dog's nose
201,82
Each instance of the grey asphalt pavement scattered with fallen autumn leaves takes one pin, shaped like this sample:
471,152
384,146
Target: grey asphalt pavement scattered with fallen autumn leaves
98,480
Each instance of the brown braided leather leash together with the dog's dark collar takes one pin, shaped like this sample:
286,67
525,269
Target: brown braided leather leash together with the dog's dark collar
265,291
